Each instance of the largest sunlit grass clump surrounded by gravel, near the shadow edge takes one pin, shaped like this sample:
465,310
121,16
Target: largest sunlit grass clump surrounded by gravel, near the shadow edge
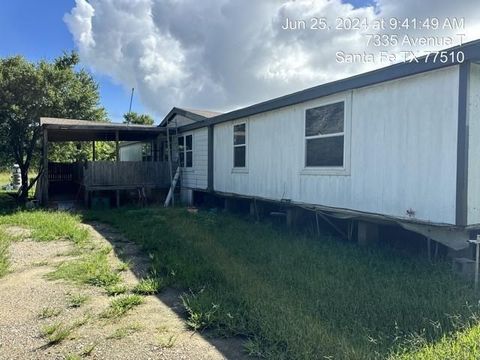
92,269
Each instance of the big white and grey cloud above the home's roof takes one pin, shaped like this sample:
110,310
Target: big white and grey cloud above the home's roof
221,54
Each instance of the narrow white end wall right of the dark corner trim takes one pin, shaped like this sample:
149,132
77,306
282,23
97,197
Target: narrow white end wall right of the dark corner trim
473,114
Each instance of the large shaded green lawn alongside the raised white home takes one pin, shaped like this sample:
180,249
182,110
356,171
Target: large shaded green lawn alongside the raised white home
294,296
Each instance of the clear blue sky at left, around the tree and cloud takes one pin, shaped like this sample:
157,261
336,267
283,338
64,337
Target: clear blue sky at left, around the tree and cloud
36,31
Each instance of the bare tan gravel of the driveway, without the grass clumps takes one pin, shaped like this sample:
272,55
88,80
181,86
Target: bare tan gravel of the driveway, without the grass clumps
153,330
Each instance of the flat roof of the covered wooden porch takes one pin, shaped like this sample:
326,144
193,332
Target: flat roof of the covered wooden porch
60,130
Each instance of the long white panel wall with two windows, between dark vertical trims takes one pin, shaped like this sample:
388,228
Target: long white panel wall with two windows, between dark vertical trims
401,147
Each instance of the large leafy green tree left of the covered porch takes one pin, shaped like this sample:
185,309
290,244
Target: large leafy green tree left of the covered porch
29,91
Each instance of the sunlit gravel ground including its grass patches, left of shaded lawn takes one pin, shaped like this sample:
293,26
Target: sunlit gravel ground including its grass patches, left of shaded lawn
68,291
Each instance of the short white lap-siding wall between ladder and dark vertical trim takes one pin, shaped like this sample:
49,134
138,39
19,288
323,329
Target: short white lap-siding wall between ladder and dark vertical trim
196,177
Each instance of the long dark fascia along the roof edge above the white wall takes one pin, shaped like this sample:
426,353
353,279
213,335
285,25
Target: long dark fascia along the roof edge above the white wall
392,72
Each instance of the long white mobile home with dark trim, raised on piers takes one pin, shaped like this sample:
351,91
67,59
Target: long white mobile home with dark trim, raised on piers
399,144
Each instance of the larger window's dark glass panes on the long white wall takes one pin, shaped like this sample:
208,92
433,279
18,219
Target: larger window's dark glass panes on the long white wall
324,136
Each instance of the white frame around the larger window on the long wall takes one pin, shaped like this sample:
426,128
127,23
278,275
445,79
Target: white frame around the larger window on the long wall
329,170
